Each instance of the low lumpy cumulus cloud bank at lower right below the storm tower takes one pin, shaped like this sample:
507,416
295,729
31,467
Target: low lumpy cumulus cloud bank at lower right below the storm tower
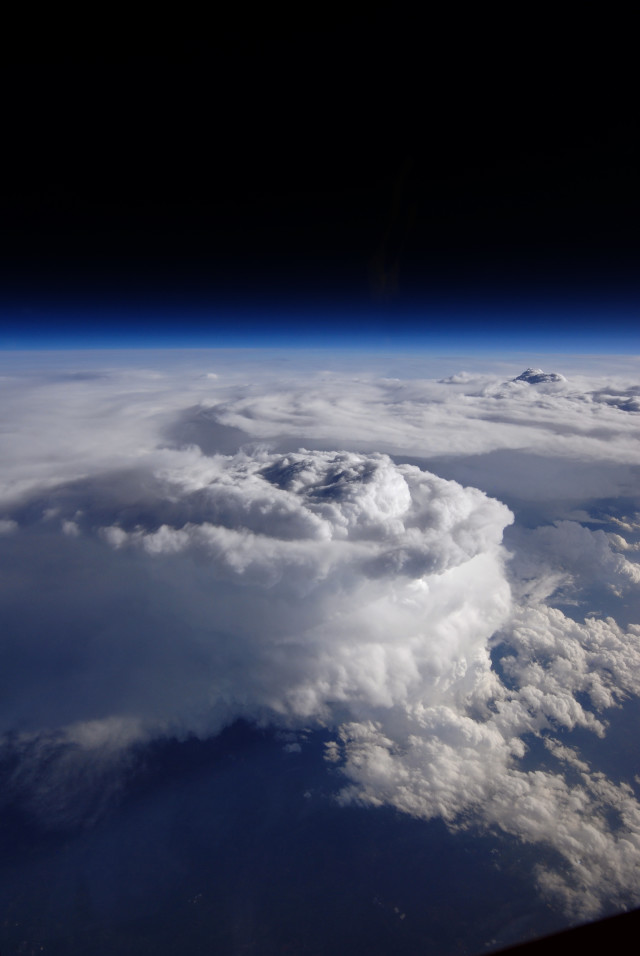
447,762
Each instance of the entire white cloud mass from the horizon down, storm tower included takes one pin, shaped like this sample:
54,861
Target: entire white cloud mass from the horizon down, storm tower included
183,547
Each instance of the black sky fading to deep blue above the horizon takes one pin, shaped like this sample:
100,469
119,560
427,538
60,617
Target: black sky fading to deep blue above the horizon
368,163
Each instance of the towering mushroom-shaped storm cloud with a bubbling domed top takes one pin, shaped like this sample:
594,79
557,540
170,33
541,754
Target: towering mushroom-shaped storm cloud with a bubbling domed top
340,577
